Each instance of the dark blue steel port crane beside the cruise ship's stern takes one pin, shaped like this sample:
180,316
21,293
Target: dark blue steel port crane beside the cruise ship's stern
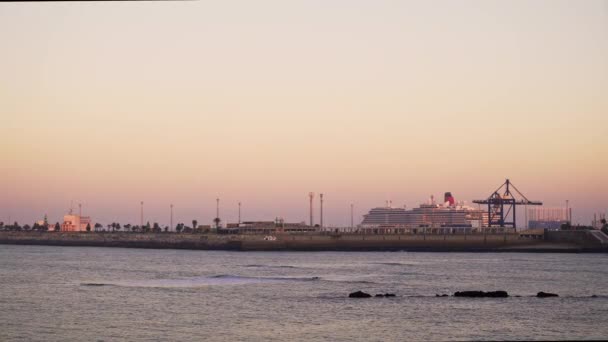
502,203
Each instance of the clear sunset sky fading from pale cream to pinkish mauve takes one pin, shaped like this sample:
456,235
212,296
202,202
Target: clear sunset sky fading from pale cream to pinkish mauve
262,102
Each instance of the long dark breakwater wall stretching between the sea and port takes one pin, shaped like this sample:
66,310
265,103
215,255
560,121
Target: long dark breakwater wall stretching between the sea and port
508,242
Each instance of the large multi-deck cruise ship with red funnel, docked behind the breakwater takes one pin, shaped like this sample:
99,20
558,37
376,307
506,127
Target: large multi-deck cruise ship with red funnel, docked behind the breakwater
431,214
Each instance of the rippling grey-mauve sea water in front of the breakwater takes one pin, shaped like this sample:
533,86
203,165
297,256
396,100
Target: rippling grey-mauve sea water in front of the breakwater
114,294
